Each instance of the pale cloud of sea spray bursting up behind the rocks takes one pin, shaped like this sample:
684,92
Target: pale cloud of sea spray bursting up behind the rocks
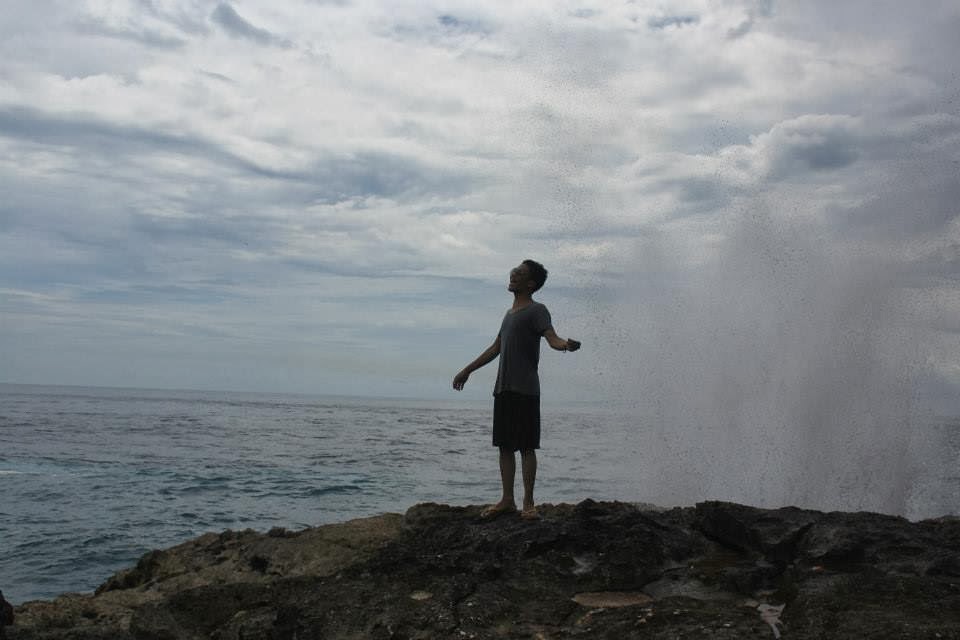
774,364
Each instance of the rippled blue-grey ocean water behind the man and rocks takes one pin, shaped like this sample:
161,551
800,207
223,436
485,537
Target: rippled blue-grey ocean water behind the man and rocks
92,478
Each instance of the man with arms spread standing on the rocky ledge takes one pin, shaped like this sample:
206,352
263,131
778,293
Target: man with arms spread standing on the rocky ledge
516,395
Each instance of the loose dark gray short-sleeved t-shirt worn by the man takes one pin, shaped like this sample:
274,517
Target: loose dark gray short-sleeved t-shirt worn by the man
520,334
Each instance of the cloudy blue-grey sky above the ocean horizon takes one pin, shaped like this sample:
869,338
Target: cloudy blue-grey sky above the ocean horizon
736,199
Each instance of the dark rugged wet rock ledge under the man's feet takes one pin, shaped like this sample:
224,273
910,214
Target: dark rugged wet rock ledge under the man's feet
591,570
